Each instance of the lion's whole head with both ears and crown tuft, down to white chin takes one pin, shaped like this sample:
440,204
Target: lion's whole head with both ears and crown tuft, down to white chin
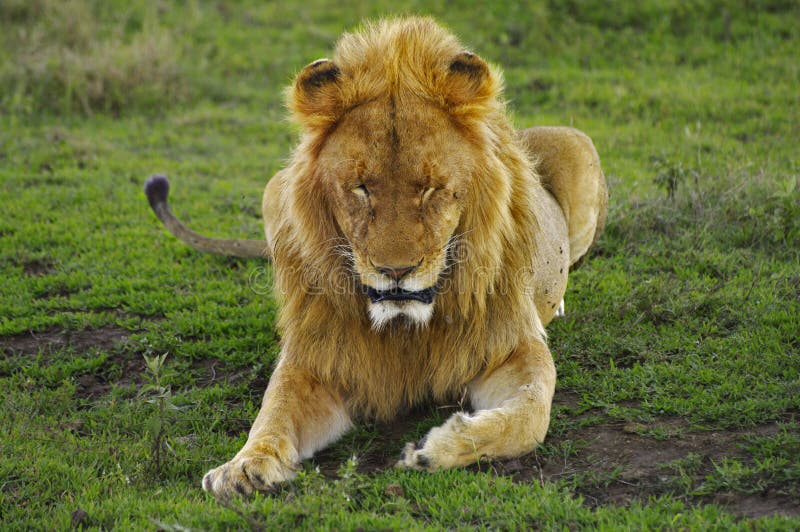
394,135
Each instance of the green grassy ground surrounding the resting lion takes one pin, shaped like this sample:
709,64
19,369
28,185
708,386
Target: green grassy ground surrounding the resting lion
682,331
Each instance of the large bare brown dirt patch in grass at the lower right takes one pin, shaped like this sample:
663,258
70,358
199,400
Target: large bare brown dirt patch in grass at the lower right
617,464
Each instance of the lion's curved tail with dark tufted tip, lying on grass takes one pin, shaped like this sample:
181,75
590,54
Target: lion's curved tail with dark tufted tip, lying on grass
157,190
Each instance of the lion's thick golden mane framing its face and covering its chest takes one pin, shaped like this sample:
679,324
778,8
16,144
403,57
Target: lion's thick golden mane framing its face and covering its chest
487,307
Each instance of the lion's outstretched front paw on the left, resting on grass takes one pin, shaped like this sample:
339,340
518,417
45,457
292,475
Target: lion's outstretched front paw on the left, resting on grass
245,474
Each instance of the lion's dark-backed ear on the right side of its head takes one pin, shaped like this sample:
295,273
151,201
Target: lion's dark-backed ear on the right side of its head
470,80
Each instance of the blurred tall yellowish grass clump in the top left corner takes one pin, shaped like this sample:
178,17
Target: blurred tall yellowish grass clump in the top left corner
66,56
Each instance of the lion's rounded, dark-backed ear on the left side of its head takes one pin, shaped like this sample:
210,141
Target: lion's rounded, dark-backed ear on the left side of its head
315,98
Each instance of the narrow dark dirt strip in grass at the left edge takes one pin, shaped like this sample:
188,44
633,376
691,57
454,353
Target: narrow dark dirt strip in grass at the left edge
53,339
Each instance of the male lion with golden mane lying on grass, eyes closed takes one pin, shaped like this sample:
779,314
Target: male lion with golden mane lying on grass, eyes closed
419,245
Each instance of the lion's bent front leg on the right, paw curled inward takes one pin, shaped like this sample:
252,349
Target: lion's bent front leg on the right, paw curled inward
512,413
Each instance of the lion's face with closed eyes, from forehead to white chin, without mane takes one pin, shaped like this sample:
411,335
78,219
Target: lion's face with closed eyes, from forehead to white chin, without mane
396,175
